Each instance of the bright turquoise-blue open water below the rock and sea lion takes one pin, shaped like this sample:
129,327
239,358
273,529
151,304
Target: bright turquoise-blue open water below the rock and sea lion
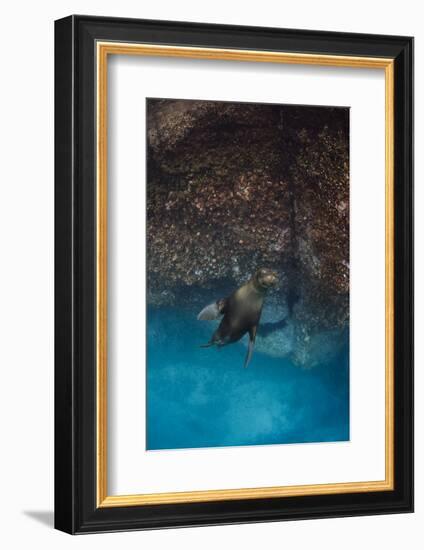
205,398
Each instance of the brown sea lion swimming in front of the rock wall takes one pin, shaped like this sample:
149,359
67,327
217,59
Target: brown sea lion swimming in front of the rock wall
241,311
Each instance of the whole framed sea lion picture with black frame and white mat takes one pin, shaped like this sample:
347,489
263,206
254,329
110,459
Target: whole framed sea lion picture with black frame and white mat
233,274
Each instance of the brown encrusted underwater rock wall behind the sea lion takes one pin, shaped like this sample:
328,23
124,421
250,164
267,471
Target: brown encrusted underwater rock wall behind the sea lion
236,186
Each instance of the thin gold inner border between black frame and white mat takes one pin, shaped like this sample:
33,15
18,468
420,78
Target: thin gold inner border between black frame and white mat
103,50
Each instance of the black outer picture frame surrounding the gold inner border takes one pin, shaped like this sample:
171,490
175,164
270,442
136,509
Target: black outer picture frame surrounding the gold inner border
76,510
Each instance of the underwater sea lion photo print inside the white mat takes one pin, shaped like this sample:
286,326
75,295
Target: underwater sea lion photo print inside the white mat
248,274
